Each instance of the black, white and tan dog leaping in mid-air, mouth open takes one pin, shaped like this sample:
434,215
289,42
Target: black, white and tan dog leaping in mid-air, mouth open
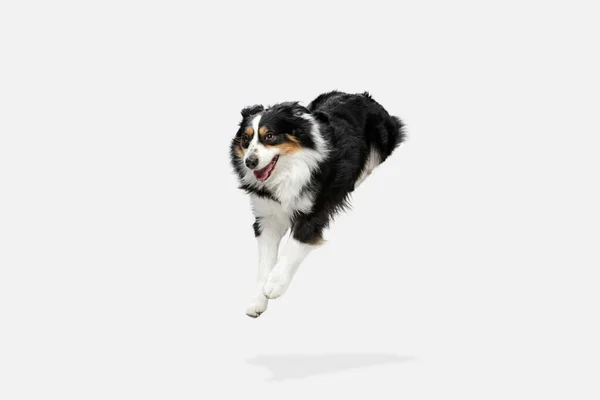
299,166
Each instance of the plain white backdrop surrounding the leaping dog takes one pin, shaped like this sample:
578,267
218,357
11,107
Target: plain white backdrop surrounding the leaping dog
468,267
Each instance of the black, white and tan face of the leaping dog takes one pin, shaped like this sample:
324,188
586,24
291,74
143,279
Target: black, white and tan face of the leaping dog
266,136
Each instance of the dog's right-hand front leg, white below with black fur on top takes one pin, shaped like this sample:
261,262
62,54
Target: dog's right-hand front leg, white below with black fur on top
306,236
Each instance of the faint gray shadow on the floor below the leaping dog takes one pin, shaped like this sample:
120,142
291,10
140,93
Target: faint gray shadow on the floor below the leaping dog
299,366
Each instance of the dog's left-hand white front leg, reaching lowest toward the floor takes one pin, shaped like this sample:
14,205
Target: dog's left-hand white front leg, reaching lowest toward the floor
268,231
